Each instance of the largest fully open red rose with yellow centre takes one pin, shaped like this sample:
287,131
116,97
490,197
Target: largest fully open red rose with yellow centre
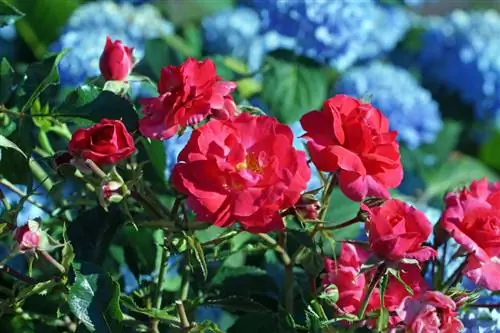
243,169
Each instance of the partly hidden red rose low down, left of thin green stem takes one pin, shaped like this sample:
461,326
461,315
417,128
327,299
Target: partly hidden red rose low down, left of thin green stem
345,274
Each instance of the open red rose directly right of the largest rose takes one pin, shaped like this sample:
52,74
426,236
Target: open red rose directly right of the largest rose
353,139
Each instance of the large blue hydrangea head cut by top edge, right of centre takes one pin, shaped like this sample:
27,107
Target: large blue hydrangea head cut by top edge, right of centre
338,33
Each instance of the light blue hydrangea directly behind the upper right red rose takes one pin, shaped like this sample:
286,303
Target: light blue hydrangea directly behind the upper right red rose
409,107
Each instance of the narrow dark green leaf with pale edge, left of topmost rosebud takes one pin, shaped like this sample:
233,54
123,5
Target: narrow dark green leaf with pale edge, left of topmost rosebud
39,77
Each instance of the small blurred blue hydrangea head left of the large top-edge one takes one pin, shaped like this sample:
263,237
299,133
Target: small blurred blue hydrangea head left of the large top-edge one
231,31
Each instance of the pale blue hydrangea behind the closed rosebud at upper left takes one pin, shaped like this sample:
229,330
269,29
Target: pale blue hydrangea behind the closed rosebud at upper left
86,31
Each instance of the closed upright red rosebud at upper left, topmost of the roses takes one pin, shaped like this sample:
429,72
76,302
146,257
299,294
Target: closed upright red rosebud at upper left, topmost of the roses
116,60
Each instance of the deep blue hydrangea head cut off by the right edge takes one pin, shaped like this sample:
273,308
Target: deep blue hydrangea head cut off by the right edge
460,52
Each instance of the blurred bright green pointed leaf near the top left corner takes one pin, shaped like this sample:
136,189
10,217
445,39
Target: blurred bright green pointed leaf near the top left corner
43,21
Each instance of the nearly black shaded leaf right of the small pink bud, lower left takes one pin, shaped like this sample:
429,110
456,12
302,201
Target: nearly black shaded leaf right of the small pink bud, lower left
92,231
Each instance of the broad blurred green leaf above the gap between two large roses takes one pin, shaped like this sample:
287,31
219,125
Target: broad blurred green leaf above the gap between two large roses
293,88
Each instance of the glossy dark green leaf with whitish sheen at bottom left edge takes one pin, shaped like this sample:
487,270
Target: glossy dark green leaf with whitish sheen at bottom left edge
93,299
